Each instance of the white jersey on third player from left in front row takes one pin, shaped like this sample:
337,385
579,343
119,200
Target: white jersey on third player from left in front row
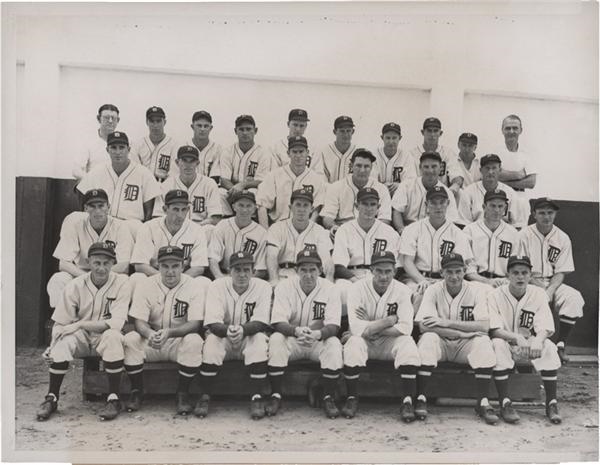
230,308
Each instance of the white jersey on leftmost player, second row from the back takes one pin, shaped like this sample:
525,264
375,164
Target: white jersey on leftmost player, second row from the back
126,192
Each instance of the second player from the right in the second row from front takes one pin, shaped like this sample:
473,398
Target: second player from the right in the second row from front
492,240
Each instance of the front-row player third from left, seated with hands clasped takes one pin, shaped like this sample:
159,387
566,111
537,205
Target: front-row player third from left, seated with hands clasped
237,320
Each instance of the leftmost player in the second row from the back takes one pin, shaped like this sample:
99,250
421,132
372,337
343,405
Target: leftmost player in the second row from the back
131,187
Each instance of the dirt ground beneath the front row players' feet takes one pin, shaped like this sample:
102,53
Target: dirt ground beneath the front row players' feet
448,429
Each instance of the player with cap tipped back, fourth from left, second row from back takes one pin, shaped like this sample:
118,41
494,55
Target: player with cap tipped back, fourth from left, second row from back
340,203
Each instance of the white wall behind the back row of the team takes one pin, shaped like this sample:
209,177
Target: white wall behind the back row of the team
465,63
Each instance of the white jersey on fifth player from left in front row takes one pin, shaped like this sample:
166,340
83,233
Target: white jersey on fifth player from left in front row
395,300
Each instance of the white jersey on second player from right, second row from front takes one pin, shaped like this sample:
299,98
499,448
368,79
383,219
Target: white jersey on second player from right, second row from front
491,249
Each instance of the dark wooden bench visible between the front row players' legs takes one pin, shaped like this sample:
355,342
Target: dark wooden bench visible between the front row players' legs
303,377
